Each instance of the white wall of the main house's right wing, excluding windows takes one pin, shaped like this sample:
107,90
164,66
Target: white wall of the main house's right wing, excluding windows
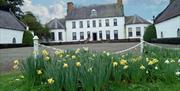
133,26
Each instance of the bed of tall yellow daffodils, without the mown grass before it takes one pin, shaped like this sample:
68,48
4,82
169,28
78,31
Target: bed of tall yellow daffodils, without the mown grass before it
84,70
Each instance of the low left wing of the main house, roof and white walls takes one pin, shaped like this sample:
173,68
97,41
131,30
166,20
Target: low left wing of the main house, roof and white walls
57,30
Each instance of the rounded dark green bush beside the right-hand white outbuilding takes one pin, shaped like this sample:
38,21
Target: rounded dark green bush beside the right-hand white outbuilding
150,33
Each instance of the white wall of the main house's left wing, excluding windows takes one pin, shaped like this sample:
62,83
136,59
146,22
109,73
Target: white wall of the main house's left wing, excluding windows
56,35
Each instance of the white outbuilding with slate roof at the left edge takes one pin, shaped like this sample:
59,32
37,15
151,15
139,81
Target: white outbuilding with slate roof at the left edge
11,29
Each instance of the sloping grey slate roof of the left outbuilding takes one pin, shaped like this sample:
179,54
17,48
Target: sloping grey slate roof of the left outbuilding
9,21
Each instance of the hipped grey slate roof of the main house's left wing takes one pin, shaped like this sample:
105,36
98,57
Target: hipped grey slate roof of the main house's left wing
56,24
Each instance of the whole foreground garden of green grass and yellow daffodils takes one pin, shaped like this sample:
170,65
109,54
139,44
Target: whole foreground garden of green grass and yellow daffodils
156,69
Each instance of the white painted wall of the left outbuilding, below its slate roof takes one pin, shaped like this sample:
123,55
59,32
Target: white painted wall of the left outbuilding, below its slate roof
7,35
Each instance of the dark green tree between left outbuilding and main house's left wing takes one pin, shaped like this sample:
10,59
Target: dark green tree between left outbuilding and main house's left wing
34,25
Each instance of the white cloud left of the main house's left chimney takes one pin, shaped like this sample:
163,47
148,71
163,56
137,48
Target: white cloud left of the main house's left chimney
45,13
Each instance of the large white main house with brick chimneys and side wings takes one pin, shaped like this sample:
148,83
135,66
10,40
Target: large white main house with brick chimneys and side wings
98,22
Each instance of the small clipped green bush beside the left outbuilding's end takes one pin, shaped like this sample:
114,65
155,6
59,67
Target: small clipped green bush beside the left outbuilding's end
27,38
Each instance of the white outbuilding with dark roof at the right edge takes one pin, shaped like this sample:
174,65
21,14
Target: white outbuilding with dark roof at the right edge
168,21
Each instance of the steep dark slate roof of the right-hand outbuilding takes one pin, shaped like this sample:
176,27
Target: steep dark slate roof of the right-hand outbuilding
172,10
